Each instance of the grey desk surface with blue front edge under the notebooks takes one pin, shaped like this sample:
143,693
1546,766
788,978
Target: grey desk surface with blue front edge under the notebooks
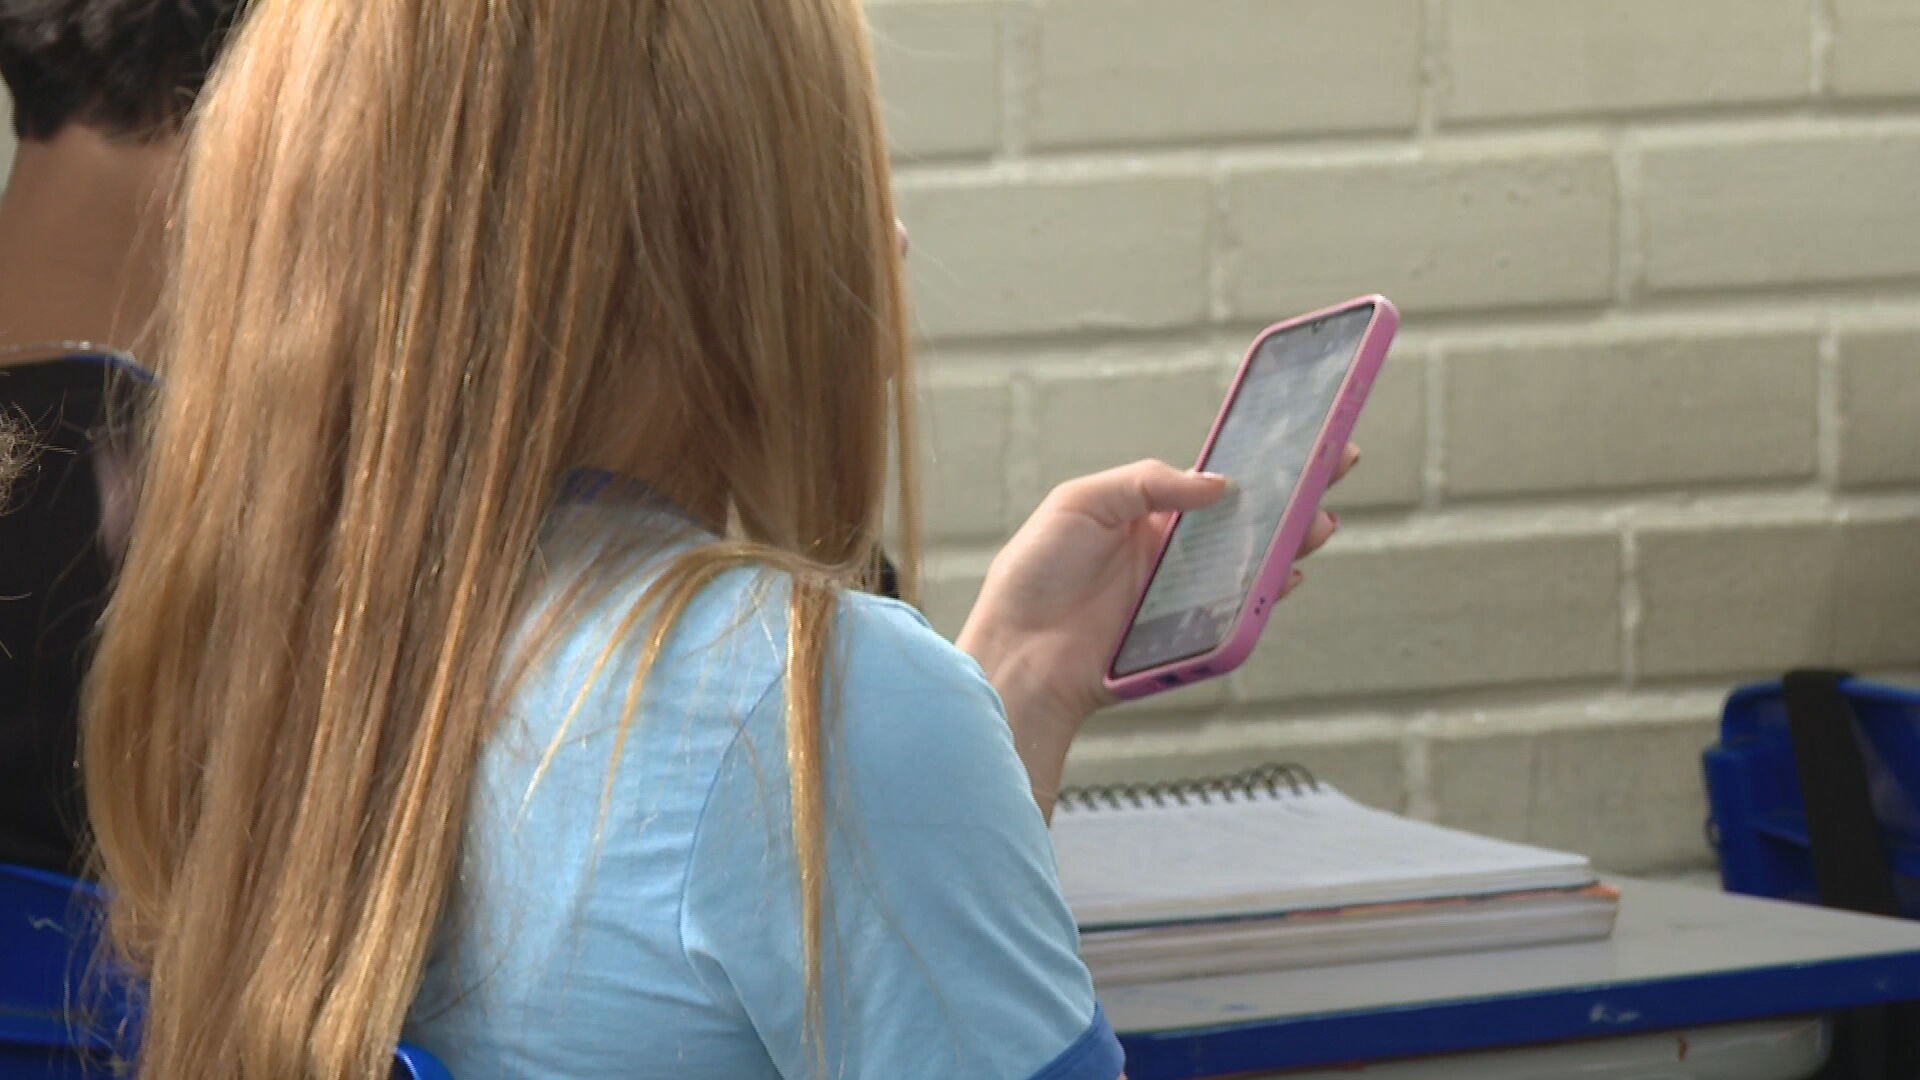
1679,958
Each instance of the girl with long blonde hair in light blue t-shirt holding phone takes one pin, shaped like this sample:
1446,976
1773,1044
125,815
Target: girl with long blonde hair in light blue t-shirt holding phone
491,664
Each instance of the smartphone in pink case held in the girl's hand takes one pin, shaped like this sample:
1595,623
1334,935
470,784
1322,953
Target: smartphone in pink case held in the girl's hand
1280,435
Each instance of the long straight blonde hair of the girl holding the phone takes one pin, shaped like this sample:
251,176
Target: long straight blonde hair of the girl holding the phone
431,255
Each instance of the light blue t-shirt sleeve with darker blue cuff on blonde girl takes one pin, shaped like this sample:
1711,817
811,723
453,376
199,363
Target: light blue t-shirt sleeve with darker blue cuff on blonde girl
949,950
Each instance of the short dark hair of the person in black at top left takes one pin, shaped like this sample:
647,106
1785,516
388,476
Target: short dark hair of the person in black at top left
124,66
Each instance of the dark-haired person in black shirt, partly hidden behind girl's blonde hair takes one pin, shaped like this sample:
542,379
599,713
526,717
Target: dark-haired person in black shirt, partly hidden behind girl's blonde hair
101,91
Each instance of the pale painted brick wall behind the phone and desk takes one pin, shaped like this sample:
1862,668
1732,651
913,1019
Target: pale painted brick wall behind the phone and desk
1650,428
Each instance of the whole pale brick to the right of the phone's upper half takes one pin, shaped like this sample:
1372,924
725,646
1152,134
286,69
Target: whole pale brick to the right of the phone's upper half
1633,412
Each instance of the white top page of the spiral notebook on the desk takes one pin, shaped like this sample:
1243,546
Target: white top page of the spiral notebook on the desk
1280,854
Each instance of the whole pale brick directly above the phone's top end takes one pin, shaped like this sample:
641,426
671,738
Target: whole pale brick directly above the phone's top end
1452,233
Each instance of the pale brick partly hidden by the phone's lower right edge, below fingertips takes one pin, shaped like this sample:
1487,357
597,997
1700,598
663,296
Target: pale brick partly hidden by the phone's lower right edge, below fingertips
1445,616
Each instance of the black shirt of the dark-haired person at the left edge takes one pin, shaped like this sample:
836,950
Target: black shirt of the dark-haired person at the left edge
53,589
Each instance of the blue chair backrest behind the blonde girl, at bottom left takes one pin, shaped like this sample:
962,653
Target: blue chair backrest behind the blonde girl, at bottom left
57,1019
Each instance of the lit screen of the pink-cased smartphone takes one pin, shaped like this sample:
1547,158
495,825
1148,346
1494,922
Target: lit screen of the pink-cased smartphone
1264,445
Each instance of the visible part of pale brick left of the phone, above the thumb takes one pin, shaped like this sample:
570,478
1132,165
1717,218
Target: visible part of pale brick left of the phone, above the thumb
1111,416
